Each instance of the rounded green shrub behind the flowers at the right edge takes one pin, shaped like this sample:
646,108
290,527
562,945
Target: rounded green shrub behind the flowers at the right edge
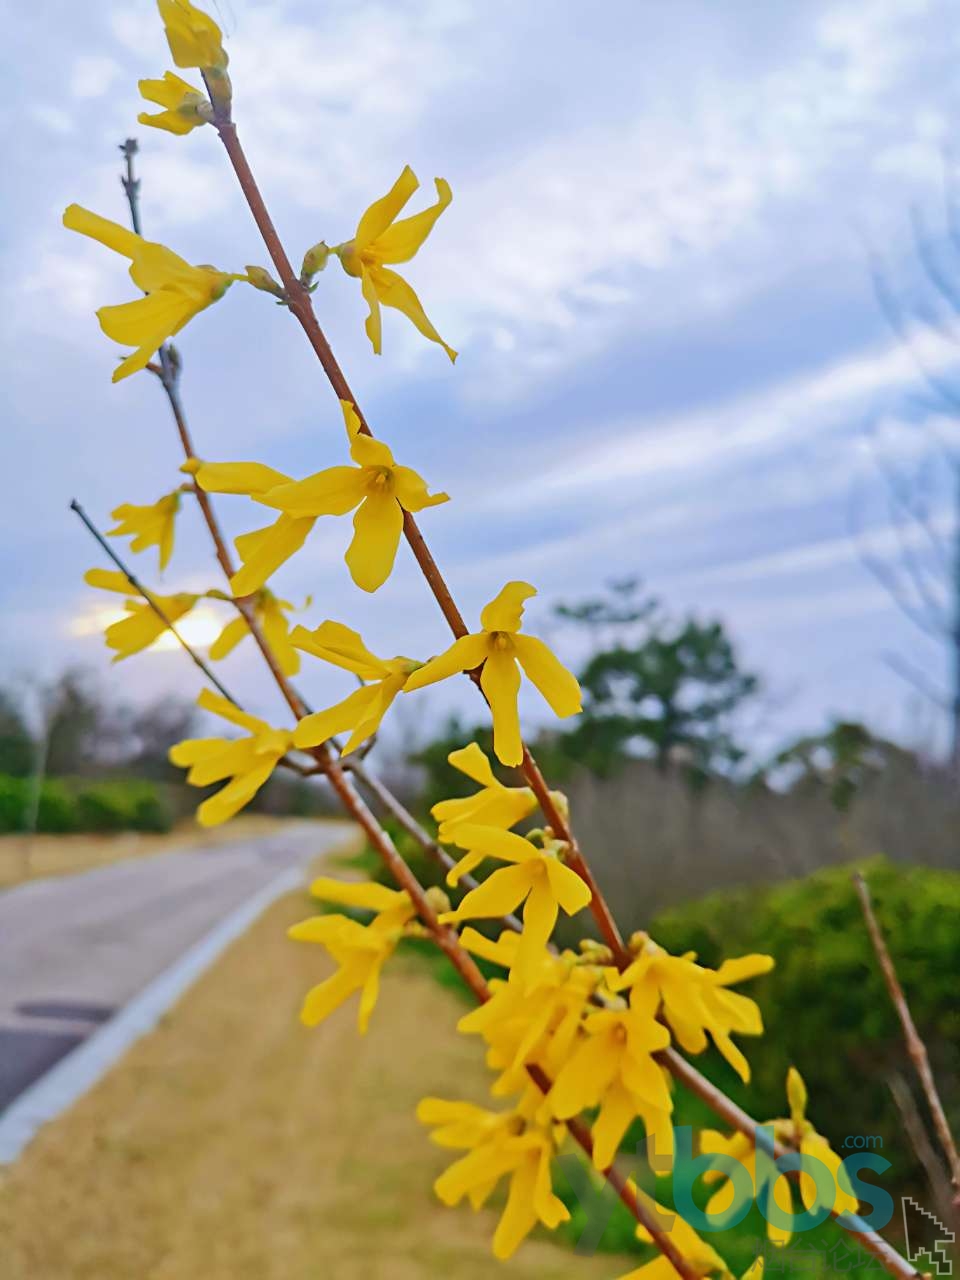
825,1005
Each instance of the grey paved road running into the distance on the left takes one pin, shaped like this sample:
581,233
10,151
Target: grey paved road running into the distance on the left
77,948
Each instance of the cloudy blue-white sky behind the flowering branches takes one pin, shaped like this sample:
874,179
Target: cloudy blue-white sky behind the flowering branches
656,271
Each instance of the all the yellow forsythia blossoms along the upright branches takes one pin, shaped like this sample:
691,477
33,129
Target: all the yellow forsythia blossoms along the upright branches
574,1040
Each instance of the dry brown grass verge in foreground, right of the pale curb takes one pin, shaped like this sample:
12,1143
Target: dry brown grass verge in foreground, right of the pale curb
234,1145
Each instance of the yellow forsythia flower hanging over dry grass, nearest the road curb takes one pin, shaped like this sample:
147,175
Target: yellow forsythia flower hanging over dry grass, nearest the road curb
359,950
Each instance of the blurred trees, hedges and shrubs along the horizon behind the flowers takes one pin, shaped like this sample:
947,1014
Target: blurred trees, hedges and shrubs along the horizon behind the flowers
693,834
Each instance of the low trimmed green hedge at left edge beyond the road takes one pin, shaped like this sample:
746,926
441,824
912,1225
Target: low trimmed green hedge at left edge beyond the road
102,807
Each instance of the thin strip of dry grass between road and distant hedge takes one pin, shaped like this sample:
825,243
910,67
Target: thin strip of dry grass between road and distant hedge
33,858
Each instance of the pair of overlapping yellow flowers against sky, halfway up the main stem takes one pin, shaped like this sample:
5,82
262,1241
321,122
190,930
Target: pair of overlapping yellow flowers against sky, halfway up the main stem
377,487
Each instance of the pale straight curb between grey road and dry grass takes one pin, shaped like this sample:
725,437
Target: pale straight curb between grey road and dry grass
81,1069
